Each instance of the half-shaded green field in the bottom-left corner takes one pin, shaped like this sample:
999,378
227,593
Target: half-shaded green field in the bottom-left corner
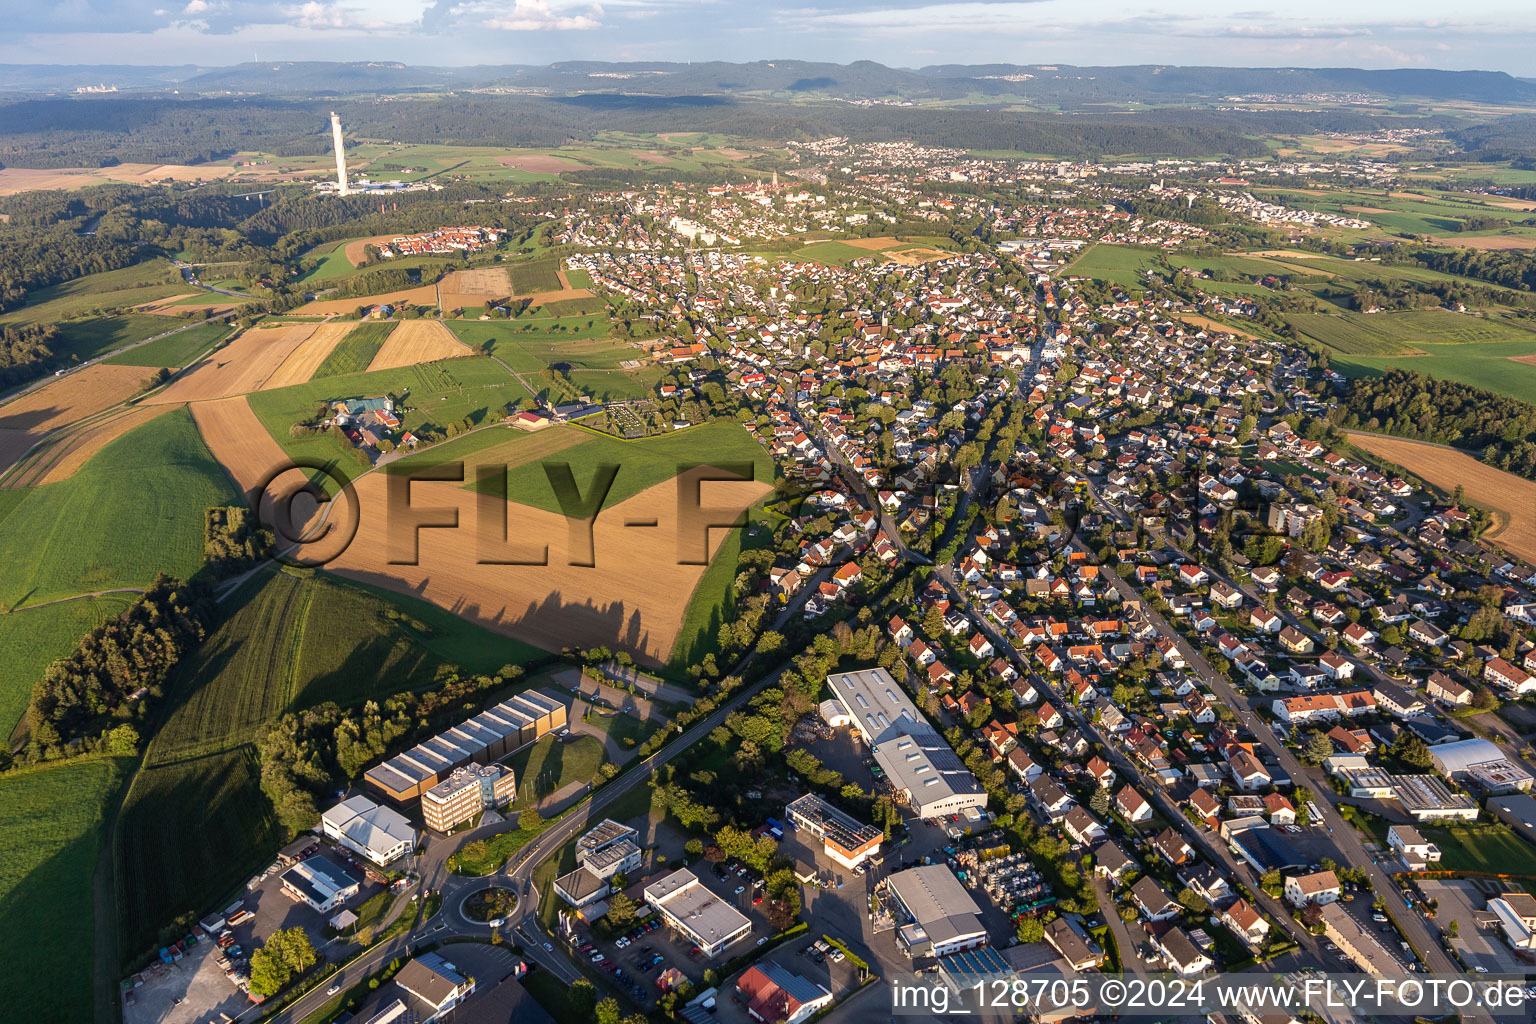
51,824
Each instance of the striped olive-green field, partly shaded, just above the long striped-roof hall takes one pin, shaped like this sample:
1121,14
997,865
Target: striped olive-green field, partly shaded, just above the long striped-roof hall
293,644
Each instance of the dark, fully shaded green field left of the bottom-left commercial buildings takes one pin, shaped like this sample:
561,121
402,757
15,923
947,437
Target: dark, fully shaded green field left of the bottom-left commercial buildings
188,837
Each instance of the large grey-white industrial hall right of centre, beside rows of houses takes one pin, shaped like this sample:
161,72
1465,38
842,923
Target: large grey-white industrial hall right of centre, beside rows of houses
916,761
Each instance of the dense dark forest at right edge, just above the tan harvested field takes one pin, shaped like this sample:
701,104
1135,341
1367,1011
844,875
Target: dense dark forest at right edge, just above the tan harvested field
1415,406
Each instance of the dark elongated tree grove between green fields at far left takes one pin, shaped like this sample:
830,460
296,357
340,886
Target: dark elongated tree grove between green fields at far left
102,679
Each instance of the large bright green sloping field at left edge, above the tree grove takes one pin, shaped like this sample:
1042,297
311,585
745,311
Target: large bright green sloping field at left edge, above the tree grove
136,509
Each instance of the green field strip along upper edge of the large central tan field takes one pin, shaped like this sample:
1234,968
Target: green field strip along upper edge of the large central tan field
641,463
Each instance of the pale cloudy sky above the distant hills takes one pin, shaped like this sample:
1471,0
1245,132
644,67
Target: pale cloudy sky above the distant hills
1483,35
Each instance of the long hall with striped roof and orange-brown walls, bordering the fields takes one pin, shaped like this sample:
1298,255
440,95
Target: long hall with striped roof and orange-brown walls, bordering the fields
488,738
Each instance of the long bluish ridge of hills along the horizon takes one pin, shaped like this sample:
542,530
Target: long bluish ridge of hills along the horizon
1050,85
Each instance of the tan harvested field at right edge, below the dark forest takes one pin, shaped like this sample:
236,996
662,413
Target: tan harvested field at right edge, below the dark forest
1503,492
